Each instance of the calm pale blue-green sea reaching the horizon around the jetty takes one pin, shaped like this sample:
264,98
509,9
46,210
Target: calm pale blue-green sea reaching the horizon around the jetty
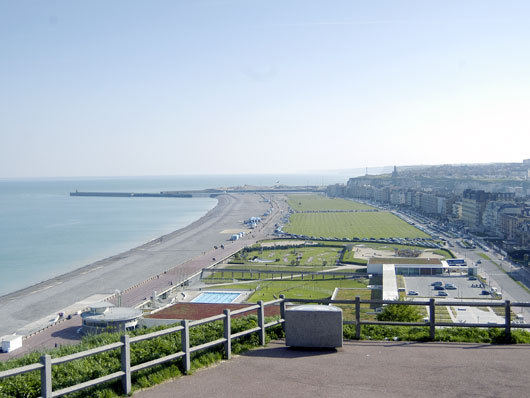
44,232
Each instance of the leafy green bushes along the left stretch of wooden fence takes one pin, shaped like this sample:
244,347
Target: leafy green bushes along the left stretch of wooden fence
78,371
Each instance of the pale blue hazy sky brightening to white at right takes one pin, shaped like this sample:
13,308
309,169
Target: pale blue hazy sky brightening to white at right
133,88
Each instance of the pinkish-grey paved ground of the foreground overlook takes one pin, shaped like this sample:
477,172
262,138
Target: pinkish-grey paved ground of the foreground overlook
362,369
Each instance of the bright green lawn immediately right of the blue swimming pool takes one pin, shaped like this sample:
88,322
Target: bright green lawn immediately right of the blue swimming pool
317,289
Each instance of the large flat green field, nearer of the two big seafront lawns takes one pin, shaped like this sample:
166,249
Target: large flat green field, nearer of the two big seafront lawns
347,225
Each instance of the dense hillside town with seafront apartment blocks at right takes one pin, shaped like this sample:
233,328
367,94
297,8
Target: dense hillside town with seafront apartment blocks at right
489,202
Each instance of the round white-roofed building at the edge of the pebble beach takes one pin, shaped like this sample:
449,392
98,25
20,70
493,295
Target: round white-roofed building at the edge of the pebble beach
105,317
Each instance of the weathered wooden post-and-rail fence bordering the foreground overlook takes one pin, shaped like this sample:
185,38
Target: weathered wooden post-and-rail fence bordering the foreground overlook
46,362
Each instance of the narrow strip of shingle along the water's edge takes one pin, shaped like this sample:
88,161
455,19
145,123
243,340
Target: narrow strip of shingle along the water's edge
89,267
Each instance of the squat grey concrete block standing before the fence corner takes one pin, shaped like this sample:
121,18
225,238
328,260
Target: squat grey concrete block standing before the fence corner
313,326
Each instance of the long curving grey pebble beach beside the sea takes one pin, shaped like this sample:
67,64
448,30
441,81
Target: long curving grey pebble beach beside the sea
127,269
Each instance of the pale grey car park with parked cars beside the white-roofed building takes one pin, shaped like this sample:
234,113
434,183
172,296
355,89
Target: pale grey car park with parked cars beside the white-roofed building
464,289
